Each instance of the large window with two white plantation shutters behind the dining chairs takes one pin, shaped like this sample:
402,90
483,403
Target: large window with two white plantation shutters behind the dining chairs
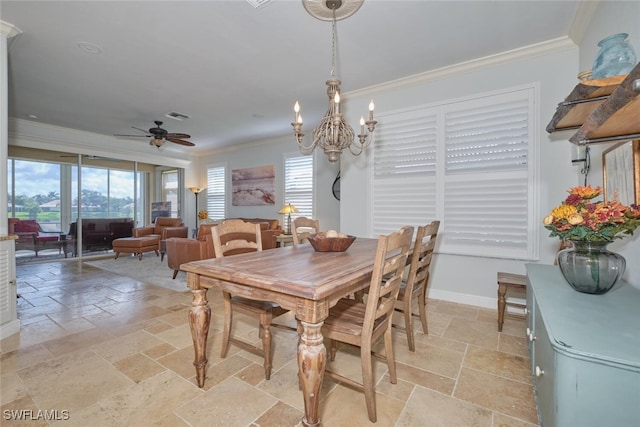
467,163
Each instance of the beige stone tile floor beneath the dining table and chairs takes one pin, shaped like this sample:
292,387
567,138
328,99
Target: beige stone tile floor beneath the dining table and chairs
96,348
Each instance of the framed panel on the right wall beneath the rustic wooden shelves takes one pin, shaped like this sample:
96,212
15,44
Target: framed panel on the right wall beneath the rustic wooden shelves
621,172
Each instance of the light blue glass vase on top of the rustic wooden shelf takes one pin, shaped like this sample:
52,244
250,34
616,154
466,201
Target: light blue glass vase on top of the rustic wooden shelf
616,57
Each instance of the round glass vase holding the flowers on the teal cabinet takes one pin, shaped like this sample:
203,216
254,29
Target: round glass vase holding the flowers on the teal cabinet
590,268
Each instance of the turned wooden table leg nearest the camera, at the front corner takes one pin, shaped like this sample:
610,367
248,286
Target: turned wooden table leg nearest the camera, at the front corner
312,358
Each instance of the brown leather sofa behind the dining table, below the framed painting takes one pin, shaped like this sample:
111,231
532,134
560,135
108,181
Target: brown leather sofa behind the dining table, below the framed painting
181,250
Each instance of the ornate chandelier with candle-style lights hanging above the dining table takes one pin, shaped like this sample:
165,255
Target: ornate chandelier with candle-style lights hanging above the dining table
333,134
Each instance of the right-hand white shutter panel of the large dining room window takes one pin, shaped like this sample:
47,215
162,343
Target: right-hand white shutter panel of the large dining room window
486,173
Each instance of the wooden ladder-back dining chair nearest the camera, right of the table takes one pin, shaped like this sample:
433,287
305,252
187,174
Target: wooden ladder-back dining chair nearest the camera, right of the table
362,325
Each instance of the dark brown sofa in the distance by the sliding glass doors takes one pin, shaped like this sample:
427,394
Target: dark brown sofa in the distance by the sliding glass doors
99,233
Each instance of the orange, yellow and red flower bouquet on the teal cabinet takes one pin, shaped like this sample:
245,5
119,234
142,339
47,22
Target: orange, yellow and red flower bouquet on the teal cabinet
580,218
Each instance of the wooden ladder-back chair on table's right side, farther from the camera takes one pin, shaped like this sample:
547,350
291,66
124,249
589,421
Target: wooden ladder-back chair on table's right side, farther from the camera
416,283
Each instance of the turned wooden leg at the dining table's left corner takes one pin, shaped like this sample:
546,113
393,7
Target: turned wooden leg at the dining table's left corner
199,318
